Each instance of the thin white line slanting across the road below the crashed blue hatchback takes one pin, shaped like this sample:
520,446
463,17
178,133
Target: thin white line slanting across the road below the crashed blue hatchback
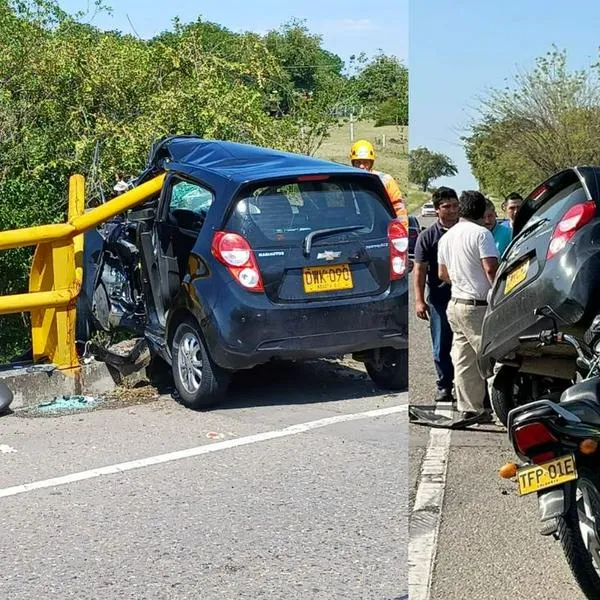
199,450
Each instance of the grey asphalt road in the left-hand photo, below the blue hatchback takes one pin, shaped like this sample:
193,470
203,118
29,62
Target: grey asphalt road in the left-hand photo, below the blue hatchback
318,511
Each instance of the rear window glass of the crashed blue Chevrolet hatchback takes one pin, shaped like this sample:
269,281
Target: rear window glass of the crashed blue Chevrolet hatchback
280,214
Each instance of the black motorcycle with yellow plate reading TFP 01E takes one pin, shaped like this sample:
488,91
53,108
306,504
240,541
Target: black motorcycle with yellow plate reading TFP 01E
557,441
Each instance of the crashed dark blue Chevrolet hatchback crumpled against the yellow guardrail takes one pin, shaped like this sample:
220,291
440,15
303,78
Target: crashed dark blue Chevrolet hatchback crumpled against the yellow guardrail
249,255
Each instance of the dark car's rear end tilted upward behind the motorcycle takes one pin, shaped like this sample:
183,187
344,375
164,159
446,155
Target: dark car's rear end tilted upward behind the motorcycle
552,264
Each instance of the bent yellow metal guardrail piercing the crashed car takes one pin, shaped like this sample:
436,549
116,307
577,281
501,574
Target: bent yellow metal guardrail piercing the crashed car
57,270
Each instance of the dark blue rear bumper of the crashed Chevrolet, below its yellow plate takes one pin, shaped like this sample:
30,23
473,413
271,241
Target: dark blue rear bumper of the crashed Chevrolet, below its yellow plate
243,334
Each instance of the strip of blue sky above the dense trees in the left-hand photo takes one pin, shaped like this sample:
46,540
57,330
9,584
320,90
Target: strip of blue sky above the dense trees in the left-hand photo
348,26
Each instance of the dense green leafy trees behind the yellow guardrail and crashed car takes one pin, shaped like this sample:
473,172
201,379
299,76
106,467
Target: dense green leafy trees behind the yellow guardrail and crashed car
68,90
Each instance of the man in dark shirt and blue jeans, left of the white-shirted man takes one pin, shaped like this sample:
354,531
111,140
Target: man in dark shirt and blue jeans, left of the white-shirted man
445,202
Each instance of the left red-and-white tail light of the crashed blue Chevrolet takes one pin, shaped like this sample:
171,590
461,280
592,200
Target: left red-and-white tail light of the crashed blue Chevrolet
236,254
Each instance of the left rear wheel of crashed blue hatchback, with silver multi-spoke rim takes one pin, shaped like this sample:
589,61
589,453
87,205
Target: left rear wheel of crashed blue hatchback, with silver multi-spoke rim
199,382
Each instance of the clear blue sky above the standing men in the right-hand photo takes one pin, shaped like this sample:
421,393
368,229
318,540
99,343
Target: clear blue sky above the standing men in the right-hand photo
460,48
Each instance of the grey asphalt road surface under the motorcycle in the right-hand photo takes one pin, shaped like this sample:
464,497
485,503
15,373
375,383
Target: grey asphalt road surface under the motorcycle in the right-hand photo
489,544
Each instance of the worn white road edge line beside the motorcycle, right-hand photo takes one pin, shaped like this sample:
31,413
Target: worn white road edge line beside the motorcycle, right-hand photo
427,511
